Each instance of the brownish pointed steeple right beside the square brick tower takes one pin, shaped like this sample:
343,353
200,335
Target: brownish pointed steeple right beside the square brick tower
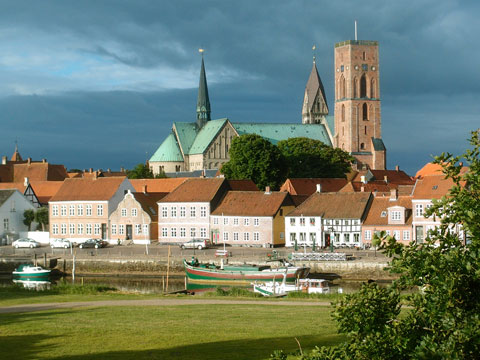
315,107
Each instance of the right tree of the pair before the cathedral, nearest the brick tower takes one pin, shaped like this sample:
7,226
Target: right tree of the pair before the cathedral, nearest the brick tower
307,158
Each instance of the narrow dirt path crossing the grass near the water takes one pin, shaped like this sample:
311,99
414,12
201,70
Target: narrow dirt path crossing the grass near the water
155,302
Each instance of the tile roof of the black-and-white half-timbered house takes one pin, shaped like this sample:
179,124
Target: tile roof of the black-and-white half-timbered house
349,205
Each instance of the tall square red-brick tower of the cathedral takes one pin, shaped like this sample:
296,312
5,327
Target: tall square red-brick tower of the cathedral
358,125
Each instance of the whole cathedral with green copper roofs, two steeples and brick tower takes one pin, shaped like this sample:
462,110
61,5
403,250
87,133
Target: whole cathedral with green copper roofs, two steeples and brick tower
355,126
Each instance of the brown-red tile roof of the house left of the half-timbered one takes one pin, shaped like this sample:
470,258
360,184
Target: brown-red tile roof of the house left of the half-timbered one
252,203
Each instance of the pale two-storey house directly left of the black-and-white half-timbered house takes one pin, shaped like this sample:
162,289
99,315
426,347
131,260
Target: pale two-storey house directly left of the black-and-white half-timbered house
251,218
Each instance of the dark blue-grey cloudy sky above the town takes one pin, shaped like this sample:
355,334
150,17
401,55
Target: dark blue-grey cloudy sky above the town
98,84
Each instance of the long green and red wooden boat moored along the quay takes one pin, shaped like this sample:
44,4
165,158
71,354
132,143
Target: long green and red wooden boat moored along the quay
197,272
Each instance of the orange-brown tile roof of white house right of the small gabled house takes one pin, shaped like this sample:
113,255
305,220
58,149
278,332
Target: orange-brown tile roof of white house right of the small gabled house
196,190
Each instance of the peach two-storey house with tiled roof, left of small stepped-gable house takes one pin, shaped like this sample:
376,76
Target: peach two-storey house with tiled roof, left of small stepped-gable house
82,207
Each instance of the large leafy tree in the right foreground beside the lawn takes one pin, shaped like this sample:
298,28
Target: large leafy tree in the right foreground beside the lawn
442,317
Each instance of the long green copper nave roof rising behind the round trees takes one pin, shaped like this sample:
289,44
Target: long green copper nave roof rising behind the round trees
277,132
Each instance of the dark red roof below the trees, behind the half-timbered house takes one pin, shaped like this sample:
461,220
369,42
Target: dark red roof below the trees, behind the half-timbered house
307,186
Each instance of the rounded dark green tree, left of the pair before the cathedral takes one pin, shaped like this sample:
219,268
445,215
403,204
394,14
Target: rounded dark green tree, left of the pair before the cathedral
253,157
